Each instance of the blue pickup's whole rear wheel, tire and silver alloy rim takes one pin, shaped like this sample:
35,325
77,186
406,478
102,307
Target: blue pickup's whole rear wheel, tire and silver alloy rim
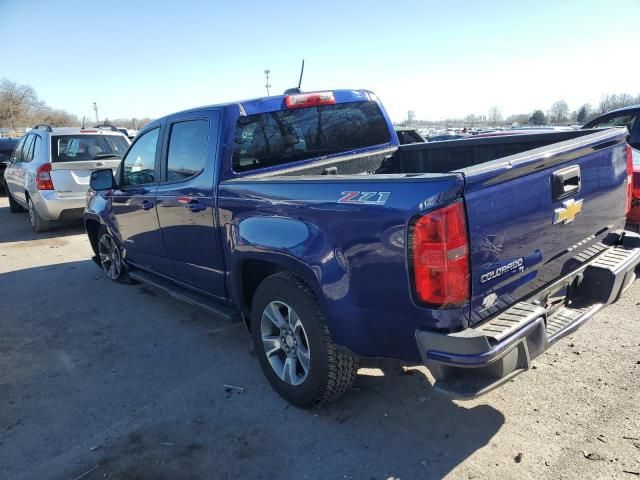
294,346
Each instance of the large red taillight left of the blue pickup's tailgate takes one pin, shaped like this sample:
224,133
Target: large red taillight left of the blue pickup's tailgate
439,251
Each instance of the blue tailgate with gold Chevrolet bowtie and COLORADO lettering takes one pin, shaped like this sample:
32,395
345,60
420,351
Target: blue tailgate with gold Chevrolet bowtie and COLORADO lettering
536,216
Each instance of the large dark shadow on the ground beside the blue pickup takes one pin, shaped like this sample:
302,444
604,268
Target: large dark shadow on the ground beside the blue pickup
131,382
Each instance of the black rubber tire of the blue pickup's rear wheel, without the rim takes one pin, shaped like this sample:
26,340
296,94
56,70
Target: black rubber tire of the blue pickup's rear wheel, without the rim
331,372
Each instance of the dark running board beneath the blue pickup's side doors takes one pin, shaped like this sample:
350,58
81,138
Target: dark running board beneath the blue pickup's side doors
218,309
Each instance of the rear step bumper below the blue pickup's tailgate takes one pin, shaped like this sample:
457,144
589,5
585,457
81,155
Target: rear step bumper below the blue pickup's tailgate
474,361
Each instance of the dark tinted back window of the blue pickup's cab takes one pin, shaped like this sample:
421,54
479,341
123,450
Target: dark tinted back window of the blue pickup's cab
286,136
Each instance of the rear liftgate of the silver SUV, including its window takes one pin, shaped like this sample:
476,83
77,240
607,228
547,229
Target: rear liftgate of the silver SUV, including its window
74,157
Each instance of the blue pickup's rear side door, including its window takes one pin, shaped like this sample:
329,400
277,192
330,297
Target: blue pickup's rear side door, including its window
186,203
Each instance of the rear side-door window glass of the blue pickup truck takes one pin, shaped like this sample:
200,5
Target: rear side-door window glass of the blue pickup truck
187,155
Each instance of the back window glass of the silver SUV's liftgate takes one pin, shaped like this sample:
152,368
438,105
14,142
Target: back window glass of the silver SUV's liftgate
74,148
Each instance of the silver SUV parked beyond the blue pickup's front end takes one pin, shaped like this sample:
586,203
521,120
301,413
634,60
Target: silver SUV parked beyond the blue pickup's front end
50,168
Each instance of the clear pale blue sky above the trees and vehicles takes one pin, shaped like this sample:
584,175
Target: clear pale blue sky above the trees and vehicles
440,58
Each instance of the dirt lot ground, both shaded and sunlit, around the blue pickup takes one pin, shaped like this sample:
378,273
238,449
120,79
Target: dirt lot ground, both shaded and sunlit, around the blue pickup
101,380
